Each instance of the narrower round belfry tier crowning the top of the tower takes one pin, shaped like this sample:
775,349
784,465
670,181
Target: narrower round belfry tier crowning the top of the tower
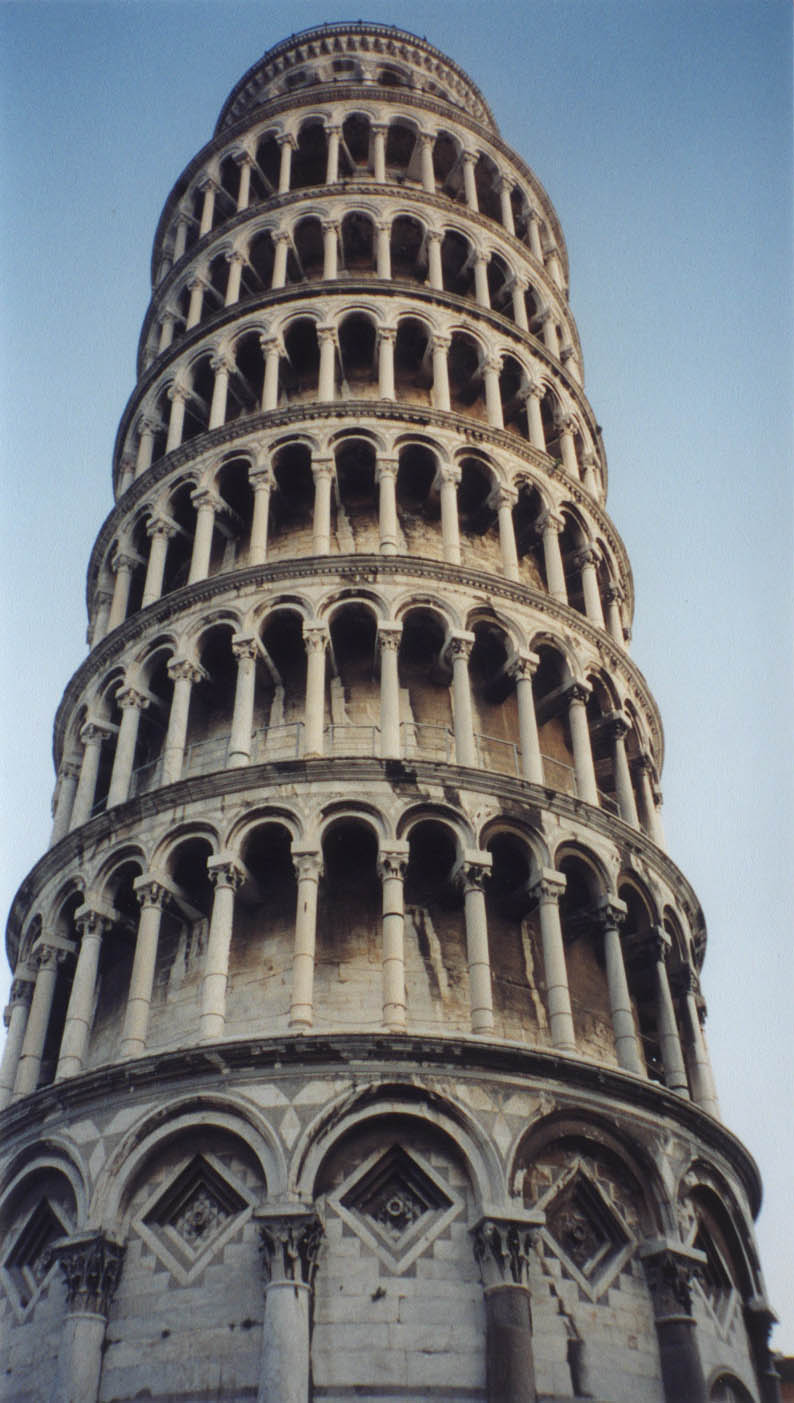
357,53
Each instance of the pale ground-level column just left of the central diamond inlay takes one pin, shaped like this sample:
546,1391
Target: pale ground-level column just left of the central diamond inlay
291,1244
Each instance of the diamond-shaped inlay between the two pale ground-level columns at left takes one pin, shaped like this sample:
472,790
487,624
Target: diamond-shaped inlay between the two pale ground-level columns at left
187,1223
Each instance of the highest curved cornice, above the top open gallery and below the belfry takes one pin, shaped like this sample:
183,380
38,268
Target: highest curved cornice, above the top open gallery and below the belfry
333,95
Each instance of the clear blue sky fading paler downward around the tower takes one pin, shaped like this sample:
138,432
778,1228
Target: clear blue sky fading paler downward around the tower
663,134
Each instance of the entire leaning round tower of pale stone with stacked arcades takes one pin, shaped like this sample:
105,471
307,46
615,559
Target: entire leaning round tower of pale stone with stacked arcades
356,1043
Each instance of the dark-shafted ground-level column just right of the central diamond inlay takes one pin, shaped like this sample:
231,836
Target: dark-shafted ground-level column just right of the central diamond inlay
502,1248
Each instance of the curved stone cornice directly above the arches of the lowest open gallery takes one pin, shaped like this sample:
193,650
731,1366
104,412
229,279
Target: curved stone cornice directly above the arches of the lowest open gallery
220,785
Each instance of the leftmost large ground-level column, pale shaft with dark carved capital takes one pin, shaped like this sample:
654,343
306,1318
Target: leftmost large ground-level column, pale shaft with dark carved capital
92,1266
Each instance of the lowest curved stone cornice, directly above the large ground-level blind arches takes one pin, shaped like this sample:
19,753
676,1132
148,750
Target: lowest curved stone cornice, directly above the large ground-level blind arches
413,1057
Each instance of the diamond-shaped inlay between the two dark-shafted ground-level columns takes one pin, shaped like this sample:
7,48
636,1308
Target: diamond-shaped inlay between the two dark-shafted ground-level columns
586,1231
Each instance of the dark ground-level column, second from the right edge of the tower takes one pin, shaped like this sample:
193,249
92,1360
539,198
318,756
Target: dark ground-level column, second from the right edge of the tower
668,1272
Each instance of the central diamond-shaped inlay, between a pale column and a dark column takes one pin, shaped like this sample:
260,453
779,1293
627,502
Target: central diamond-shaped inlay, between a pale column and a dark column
398,1206
